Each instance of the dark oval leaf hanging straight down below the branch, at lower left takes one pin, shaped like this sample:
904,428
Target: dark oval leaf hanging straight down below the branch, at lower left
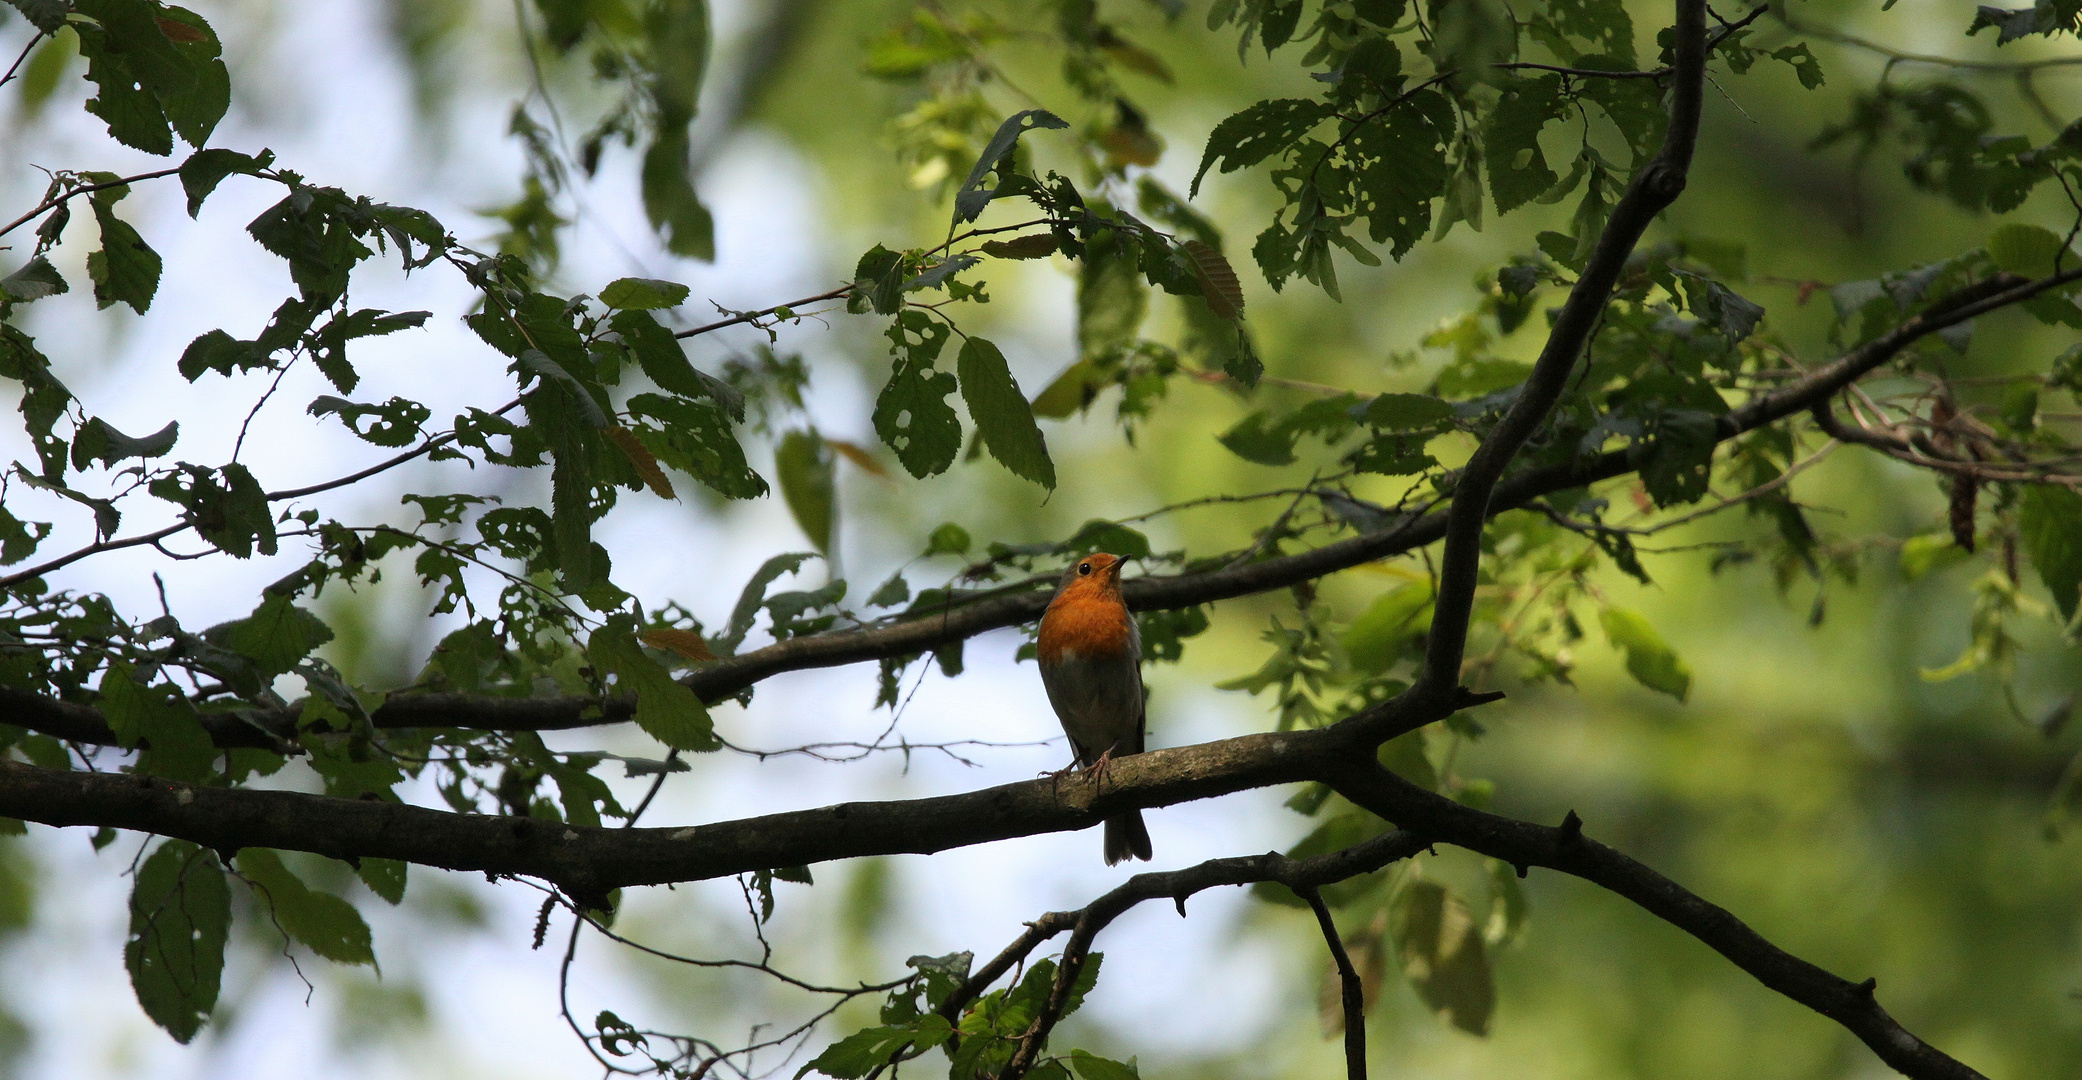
176,950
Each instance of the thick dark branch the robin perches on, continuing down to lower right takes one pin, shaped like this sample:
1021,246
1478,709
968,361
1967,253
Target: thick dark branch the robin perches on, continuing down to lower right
588,863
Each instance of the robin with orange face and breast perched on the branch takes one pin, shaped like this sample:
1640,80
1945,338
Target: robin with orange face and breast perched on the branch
1092,667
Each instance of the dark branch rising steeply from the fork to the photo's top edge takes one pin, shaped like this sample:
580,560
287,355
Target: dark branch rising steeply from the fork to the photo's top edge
1654,188
